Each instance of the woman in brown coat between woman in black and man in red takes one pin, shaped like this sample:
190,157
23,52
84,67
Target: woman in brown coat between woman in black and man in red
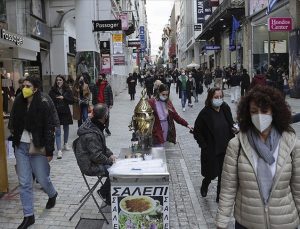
81,93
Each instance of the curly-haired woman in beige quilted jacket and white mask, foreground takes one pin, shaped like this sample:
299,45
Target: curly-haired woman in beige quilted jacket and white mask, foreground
262,166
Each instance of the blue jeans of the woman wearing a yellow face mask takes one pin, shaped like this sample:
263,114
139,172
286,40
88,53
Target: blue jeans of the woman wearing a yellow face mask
26,165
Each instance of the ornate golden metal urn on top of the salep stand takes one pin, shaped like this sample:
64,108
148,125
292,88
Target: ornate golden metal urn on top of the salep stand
142,121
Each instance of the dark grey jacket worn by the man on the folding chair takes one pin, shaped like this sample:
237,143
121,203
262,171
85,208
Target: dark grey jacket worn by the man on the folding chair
90,149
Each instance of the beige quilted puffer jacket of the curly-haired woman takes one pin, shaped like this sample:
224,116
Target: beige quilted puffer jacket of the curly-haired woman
239,187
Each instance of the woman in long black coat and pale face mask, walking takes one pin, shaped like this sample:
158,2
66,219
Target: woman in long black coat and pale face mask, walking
212,131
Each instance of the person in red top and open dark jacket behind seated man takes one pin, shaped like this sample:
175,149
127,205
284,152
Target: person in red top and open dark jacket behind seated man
102,93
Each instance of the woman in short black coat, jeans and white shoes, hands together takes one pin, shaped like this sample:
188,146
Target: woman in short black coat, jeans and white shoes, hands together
62,97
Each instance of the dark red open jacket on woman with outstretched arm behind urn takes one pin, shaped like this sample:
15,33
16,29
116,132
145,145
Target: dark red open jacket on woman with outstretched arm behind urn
157,133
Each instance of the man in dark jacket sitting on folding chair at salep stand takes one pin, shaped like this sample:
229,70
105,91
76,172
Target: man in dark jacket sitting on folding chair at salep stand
93,157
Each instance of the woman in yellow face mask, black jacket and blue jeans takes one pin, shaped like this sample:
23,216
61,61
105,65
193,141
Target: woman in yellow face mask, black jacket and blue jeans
32,126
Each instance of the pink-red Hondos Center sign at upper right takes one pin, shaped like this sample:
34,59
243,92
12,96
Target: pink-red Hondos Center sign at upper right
280,24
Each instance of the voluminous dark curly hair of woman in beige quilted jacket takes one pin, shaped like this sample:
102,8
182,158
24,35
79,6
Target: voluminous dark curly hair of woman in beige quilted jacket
265,97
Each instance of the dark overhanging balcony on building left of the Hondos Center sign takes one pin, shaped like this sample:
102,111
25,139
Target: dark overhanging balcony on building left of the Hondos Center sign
221,18
